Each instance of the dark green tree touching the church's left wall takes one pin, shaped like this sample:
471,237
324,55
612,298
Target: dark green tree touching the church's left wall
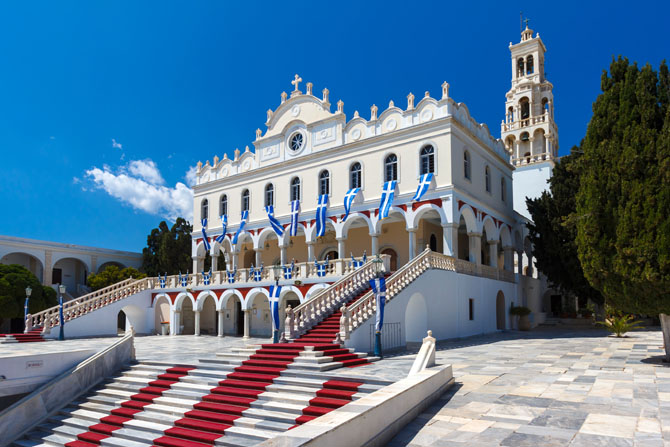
168,249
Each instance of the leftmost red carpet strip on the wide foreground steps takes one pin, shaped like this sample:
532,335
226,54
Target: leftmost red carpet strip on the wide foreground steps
97,432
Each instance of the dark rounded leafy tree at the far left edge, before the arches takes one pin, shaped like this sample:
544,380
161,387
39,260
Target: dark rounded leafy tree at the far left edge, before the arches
14,279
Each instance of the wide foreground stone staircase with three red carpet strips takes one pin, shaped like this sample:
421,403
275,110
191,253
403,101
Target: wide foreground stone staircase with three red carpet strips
219,402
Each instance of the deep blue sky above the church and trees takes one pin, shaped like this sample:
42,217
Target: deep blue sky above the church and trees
135,93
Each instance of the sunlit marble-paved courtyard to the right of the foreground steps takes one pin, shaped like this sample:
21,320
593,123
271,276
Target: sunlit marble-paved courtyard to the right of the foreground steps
548,387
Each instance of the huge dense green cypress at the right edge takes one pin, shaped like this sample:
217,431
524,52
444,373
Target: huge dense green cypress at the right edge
623,203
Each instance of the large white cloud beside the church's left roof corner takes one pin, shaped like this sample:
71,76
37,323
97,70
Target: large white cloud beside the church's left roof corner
136,186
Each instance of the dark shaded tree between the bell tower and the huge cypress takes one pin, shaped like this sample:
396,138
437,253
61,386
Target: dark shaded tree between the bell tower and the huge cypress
553,231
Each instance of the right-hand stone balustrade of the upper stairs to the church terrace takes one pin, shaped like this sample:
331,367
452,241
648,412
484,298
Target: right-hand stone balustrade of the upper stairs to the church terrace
365,307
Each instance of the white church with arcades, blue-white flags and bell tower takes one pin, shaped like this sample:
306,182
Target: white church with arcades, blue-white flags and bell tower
422,185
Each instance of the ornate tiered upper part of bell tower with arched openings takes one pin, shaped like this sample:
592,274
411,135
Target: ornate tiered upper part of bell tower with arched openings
528,130
